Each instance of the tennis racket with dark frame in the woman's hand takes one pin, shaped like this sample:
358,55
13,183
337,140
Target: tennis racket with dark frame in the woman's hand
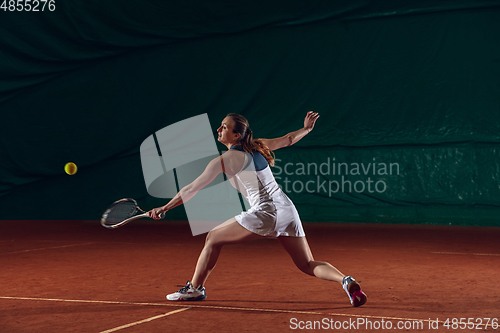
122,212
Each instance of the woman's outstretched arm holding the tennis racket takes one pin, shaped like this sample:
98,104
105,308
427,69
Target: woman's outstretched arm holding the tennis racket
187,192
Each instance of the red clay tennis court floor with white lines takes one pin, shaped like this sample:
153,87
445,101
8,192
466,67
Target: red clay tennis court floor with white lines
76,276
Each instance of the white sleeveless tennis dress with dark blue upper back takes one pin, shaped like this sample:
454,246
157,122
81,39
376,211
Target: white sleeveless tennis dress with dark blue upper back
271,212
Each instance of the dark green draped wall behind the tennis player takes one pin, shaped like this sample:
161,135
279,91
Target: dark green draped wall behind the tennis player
414,84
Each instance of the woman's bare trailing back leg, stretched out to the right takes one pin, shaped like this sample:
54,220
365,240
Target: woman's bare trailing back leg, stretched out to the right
301,254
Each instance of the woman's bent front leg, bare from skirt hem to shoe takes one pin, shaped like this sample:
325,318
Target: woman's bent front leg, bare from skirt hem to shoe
230,232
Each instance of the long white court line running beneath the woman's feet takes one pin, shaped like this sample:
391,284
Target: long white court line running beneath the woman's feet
222,308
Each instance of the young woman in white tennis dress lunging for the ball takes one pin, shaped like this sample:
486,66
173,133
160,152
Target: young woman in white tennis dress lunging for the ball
272,213
